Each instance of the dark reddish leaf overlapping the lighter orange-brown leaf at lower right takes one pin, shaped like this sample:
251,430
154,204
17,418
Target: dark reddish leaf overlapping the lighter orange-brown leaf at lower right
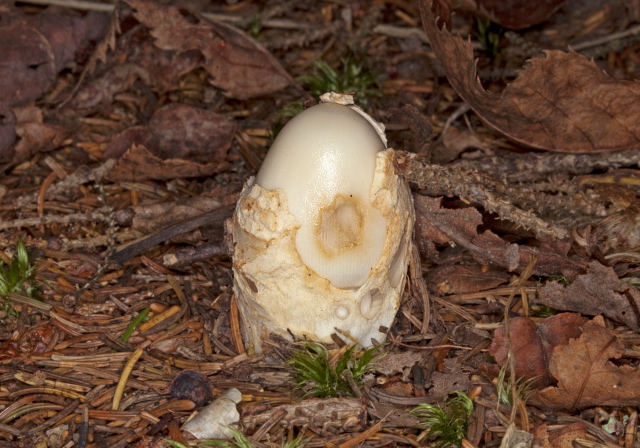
533,344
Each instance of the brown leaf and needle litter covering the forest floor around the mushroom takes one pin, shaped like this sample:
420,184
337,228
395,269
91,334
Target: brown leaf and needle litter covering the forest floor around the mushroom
124,142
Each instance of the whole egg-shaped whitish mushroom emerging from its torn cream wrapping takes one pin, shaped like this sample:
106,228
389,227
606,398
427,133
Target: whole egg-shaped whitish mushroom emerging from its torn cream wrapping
322,234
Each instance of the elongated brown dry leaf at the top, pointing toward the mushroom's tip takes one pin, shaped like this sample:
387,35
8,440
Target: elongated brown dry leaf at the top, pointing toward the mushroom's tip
240,66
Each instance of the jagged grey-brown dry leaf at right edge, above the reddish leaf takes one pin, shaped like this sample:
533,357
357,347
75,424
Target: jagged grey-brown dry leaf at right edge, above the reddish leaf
599,291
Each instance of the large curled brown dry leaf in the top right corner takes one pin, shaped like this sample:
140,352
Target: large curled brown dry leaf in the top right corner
562,102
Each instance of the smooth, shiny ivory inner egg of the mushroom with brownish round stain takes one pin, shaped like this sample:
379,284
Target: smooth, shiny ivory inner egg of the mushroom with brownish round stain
324,161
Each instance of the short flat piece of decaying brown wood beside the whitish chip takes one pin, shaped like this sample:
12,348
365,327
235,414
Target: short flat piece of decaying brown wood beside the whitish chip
334,415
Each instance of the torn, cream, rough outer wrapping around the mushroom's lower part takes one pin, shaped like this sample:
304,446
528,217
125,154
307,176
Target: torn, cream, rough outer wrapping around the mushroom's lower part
277,293
